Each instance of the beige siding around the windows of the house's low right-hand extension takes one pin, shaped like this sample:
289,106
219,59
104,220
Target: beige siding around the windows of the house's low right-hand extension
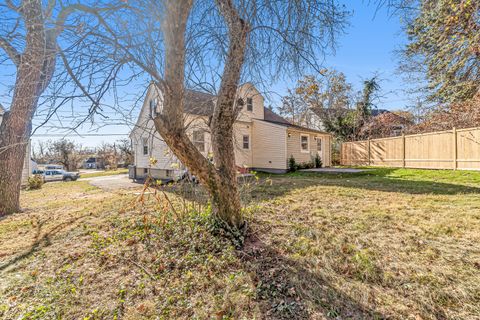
294,147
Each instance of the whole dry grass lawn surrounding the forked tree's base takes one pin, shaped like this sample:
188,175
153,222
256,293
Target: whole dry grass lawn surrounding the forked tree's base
387,243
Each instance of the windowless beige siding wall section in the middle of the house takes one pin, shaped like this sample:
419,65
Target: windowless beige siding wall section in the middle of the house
268,145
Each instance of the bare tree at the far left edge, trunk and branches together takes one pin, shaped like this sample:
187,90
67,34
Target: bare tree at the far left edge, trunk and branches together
35,38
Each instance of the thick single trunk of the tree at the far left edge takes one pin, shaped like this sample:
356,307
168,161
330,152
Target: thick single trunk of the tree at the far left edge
34,71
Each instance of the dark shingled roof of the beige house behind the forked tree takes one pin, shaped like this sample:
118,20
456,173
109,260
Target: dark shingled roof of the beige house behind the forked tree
202,104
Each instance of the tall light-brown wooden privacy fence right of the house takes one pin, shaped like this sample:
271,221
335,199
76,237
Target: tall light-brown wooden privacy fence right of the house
453,149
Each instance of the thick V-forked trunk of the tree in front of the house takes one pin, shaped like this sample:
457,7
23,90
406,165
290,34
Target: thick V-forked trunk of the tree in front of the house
219,179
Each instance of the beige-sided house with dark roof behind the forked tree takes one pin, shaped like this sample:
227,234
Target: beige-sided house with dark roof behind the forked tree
264,141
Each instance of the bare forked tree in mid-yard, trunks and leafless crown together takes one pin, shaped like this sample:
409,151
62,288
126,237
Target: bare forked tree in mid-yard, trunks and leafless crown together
218,44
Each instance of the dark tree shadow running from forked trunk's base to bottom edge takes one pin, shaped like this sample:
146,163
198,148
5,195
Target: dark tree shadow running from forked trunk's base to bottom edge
286,289
